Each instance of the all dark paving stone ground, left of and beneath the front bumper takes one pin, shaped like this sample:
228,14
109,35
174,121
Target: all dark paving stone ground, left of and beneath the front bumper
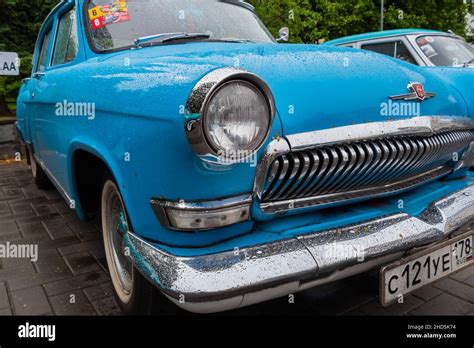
70,276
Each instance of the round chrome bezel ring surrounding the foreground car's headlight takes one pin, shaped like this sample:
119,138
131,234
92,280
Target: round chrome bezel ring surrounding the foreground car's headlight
201,96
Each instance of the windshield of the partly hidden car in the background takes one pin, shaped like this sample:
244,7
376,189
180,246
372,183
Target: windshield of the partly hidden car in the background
445,50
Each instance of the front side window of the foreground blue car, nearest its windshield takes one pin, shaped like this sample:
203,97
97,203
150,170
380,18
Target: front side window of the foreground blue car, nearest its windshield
66,43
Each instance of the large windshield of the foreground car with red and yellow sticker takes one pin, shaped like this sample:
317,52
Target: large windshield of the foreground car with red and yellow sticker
116,24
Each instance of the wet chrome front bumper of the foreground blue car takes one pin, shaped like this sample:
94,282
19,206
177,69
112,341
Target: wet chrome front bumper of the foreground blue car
233,279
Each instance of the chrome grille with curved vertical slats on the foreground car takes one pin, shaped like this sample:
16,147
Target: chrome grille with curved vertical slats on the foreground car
329,171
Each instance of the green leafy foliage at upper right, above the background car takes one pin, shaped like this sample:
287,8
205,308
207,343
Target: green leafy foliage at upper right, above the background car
311,20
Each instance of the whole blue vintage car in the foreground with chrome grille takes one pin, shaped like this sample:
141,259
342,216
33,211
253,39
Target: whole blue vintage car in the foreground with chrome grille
228,169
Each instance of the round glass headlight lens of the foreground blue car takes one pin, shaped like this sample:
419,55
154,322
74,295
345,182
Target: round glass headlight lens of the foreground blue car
237,118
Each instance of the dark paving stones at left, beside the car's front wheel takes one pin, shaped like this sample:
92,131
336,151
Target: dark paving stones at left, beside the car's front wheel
70,276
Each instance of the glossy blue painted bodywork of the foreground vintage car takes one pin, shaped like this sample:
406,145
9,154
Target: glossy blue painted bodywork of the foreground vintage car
138,128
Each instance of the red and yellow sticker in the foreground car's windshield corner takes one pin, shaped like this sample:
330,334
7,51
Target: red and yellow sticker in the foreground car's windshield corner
104,15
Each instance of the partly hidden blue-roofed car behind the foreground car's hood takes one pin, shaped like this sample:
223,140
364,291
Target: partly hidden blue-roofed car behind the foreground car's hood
417,46
